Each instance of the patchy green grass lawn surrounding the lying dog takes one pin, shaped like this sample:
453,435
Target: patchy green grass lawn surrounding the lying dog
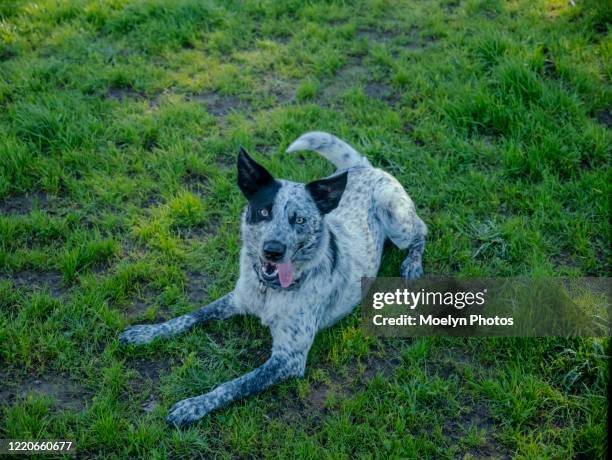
119,125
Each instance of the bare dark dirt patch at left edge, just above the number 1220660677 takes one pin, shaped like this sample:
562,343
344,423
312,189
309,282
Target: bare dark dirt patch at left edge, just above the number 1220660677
65,393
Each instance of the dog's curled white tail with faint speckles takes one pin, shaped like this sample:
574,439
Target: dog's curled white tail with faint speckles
330,147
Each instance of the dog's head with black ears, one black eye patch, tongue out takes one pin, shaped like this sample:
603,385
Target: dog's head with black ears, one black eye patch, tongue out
283,228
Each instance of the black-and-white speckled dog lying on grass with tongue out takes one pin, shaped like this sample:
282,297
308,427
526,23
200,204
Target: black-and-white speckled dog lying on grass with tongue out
305,249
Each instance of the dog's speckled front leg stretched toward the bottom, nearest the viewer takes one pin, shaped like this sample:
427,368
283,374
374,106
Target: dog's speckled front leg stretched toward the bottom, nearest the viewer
288,360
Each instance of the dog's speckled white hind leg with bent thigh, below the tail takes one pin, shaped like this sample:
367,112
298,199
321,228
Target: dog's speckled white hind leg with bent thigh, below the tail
402,226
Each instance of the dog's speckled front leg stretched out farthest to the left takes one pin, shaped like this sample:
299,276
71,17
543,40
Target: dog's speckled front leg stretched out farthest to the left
144,333
